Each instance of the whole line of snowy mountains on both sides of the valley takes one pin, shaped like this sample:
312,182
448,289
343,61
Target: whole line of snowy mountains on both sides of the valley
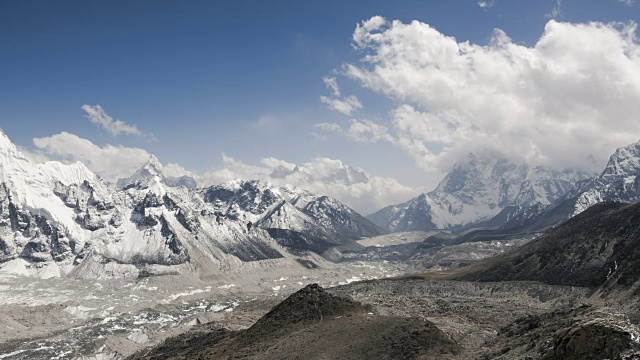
61,219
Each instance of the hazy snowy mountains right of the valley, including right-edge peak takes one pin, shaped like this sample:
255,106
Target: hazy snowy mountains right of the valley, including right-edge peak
490,193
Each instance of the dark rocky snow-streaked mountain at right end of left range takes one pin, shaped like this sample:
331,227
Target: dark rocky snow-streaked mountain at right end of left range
290,212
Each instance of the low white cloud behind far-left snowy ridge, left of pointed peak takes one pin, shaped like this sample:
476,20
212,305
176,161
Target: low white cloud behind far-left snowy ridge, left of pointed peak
109,161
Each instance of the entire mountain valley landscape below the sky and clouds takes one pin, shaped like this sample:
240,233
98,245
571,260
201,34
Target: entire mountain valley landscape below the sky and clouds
93,270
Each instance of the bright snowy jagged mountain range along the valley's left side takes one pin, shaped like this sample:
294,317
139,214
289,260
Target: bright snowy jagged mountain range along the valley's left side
58,220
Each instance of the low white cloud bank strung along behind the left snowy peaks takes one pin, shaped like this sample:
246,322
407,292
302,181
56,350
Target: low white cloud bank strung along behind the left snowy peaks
353,186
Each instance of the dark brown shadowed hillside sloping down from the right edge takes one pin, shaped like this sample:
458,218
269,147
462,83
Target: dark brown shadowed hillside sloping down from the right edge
598,248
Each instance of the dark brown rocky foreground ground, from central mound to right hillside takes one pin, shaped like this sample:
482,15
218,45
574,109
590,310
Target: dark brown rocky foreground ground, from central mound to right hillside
571,294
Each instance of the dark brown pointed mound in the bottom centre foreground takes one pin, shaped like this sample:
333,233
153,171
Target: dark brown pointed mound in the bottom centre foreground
313,324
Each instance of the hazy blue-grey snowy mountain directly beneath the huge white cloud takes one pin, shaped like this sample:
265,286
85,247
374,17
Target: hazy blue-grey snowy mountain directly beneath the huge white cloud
477,190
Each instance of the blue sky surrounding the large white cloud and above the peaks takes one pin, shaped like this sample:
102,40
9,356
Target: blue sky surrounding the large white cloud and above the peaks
244,78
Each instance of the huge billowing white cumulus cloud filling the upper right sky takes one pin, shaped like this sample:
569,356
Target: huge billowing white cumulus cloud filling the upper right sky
567,101
